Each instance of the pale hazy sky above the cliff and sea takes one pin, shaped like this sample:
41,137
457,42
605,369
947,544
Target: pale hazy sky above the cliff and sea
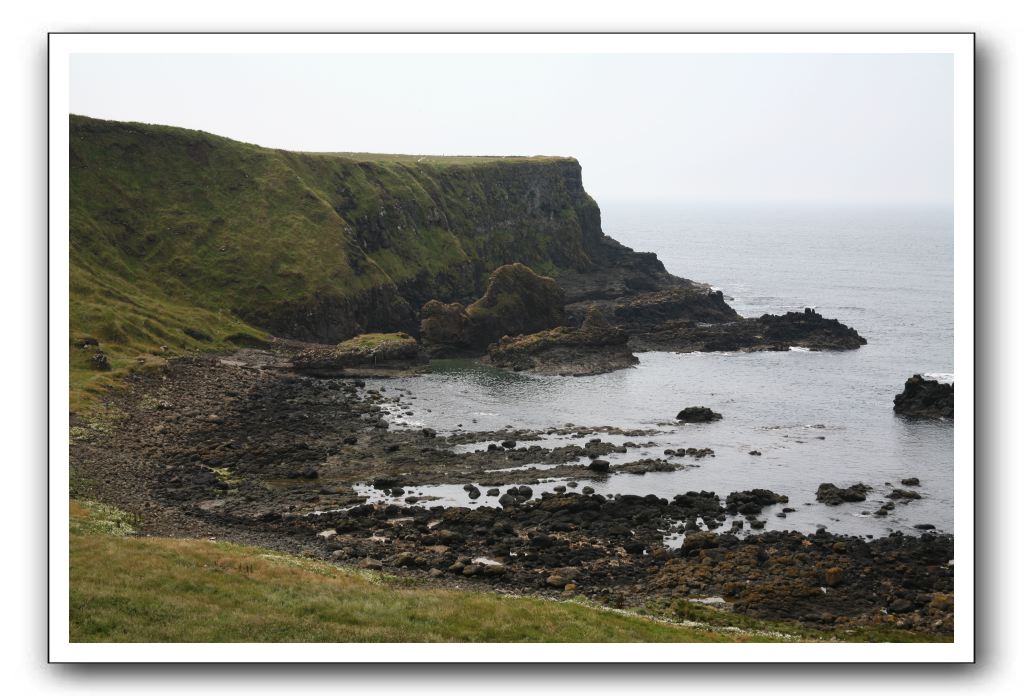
817,129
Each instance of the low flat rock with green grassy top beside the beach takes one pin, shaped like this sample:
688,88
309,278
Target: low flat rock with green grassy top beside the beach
366,355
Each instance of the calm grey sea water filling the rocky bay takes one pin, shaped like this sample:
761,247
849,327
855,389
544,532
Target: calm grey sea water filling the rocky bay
816,417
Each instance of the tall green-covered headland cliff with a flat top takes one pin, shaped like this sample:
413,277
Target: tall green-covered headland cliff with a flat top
177,234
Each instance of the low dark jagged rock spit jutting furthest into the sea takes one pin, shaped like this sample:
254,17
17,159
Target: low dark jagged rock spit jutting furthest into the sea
793,330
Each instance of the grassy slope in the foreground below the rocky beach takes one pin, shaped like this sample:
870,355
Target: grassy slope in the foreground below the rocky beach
127,589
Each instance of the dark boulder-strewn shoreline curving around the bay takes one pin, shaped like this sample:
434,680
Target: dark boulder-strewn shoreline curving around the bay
241,448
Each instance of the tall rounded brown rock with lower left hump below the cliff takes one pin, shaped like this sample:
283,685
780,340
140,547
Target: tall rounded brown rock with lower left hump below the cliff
517,302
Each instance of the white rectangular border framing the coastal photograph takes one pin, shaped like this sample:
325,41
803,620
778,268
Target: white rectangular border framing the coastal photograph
63,47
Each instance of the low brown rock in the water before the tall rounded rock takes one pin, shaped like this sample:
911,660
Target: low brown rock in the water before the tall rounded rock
594,349
